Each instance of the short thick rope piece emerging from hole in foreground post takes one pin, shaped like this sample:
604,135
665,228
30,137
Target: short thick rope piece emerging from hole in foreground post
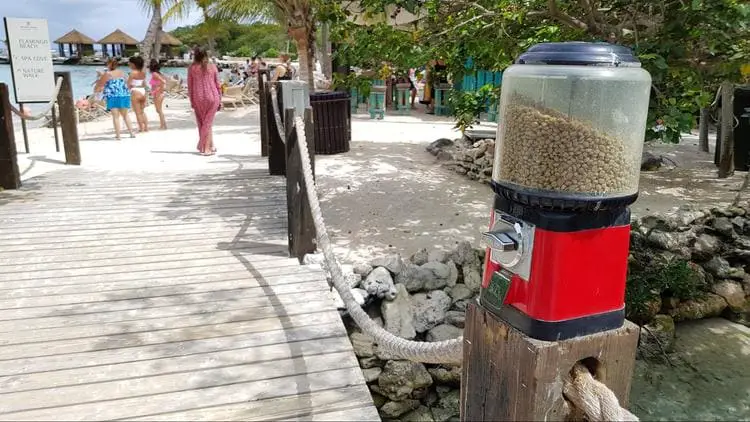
593,398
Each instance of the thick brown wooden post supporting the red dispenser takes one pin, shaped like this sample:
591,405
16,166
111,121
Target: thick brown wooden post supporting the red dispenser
509,376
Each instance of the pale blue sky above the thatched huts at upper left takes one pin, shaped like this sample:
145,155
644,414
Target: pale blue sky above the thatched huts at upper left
95,18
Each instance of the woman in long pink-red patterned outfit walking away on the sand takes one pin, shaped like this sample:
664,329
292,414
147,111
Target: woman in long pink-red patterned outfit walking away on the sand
204,91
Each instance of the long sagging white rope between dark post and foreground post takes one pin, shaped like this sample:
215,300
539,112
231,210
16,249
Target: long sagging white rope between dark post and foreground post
449,351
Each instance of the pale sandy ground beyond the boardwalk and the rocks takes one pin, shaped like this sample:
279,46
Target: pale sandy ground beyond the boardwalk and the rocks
386,194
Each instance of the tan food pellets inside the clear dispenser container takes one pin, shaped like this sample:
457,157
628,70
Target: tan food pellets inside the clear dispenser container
544,149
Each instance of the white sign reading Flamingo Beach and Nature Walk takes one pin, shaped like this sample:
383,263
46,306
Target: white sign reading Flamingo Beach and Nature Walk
30,59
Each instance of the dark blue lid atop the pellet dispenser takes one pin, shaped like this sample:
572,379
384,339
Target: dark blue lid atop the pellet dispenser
579,53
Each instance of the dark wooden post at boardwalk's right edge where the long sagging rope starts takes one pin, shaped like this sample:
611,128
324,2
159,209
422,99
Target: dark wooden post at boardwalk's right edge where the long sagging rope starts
301,228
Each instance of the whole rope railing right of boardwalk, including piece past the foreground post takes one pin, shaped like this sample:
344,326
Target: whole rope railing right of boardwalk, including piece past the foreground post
585,396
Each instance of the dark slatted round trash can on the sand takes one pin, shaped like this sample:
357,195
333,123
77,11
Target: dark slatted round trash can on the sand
332,121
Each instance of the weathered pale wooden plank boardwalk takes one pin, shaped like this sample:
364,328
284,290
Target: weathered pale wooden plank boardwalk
165,296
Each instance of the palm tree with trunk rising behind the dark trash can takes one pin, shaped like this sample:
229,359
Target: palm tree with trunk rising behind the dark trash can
298,15
